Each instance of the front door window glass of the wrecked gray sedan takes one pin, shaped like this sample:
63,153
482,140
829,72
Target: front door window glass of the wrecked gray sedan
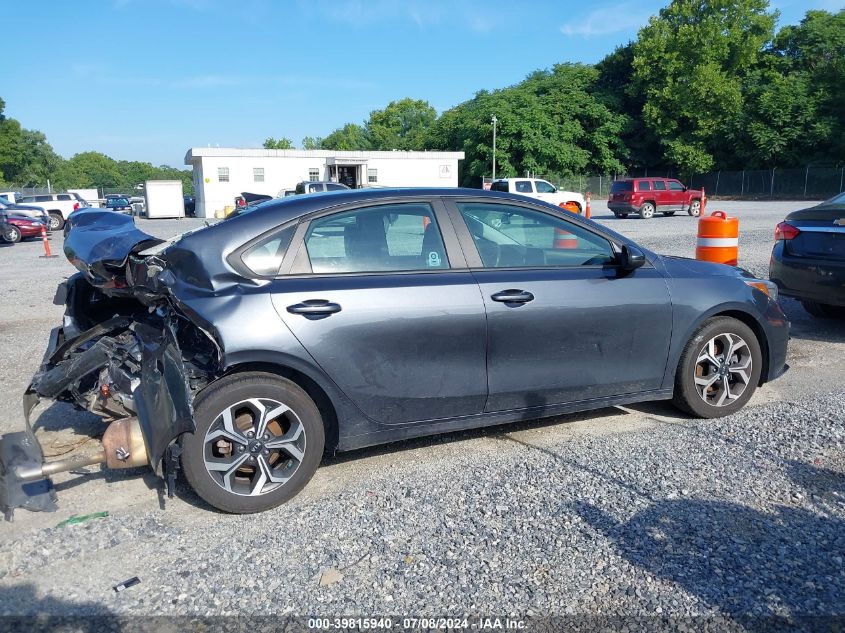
515,237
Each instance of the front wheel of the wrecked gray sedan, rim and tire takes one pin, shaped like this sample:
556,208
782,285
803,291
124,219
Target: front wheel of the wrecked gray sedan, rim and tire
719,369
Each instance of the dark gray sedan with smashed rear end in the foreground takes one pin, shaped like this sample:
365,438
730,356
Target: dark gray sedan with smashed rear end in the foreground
239,353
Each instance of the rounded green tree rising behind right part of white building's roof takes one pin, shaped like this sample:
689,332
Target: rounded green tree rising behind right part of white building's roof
401,125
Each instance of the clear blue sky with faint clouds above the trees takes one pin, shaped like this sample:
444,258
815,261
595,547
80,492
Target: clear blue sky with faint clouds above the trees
147,79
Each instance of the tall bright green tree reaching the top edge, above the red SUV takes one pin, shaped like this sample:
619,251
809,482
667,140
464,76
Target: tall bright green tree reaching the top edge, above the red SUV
690,63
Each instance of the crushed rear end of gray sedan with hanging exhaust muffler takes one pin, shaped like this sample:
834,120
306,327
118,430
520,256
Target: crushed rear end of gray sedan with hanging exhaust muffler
124,352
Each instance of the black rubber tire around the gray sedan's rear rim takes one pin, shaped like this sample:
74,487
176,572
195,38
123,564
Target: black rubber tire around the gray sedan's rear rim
227,393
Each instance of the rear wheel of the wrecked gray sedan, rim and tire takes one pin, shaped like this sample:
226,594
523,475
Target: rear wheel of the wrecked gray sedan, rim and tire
259,440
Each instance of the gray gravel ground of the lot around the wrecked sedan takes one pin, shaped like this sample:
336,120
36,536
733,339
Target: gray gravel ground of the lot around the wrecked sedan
625,511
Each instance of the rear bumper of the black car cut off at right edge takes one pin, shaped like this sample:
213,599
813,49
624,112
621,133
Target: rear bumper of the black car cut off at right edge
822,281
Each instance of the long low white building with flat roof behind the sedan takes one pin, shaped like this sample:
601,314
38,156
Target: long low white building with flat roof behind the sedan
222,173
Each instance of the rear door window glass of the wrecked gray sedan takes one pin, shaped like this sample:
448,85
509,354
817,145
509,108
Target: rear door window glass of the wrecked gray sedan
396,237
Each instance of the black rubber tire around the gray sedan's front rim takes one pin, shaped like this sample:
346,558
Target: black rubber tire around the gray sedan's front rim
687,397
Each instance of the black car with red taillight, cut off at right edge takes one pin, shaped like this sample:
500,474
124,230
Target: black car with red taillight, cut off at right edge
808,258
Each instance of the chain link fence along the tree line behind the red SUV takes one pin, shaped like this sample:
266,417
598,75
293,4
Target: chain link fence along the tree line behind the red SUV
811,183
